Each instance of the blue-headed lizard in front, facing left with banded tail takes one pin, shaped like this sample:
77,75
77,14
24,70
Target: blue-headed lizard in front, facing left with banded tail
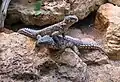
56,42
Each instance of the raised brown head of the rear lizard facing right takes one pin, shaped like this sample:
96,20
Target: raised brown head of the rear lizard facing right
71,19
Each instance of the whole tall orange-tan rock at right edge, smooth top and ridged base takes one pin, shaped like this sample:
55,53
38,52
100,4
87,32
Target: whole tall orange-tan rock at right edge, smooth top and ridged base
108,18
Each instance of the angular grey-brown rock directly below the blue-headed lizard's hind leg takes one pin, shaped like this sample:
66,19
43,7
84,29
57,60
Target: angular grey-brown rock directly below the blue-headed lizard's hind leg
76,70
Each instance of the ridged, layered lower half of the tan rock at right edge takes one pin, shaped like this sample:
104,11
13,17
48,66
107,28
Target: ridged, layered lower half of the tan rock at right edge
113,40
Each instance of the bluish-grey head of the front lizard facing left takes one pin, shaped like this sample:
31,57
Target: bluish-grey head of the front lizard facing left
45,41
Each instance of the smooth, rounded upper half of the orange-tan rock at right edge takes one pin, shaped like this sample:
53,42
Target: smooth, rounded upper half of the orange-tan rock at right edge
106,13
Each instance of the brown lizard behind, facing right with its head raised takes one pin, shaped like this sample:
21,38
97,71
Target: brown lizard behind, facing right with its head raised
56,29
